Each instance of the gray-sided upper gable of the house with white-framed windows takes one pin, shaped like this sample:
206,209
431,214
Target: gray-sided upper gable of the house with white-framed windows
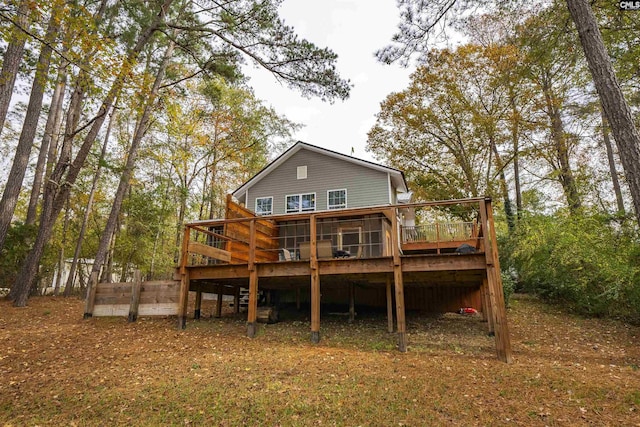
308,178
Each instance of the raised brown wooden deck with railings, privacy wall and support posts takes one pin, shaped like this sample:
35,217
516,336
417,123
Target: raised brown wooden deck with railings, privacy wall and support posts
243,251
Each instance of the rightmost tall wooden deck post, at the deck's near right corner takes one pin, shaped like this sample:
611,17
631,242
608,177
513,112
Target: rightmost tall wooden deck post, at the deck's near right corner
494,281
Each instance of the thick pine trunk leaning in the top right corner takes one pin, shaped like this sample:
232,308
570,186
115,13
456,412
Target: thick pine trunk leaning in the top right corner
615,106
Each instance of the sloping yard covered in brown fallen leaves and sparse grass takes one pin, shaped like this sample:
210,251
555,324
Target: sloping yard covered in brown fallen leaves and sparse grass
58,369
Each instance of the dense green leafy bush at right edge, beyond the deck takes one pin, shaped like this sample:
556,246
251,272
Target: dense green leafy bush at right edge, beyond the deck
581,261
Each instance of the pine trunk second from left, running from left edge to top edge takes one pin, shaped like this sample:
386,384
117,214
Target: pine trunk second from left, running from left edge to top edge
29,127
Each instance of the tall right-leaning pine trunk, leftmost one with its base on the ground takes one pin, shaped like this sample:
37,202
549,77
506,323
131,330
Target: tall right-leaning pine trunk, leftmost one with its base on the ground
57,189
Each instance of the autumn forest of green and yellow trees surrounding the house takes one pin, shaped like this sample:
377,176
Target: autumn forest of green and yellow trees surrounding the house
139,117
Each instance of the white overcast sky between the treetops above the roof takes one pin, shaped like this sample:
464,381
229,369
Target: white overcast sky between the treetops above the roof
354,29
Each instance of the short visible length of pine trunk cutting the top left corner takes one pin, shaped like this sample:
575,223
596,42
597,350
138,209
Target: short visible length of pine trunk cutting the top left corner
11,61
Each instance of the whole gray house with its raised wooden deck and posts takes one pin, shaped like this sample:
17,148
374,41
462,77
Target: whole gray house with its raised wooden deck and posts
318,227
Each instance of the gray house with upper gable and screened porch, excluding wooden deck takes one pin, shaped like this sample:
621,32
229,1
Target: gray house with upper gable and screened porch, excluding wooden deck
307,178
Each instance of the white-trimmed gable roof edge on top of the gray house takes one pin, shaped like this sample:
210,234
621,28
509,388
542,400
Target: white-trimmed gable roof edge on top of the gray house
397,176
